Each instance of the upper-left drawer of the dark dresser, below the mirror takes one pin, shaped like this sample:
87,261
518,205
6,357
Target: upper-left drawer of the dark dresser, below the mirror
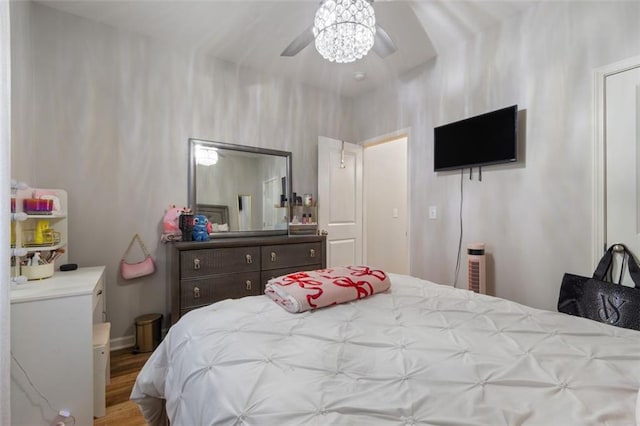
197,263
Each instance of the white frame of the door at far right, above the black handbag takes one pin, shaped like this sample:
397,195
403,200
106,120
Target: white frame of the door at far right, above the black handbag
599,239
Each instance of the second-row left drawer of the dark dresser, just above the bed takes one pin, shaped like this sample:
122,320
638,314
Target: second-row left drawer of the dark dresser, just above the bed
205,291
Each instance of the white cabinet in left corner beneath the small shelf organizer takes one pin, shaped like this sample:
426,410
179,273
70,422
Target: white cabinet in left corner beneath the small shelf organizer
52,340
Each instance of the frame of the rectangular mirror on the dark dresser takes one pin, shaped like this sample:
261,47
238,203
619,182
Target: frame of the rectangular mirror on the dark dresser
192,190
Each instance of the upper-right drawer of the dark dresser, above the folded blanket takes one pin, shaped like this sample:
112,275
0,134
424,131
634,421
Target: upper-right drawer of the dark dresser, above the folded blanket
291,255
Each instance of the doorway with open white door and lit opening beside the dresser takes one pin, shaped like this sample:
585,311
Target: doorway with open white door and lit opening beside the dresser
342,201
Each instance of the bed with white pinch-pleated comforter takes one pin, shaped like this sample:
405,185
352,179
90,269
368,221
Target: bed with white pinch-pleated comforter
419,353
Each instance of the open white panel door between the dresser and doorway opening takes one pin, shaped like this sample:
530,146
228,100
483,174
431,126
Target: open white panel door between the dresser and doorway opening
340,200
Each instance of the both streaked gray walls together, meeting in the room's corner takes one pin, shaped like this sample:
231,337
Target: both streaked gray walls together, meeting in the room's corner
106,115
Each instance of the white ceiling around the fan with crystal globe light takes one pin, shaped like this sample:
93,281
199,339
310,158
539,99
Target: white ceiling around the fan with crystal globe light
254,33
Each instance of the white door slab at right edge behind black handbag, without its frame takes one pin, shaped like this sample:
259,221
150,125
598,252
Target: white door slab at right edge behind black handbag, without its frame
622,143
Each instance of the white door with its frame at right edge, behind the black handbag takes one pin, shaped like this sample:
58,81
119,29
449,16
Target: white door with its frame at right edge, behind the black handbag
617,159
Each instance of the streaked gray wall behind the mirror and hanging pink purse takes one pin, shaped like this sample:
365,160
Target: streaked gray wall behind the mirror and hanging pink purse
106,115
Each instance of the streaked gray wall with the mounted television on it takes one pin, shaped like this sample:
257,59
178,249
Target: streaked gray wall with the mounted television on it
535,216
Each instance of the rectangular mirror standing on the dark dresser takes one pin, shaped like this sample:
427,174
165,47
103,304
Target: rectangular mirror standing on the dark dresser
241,189
